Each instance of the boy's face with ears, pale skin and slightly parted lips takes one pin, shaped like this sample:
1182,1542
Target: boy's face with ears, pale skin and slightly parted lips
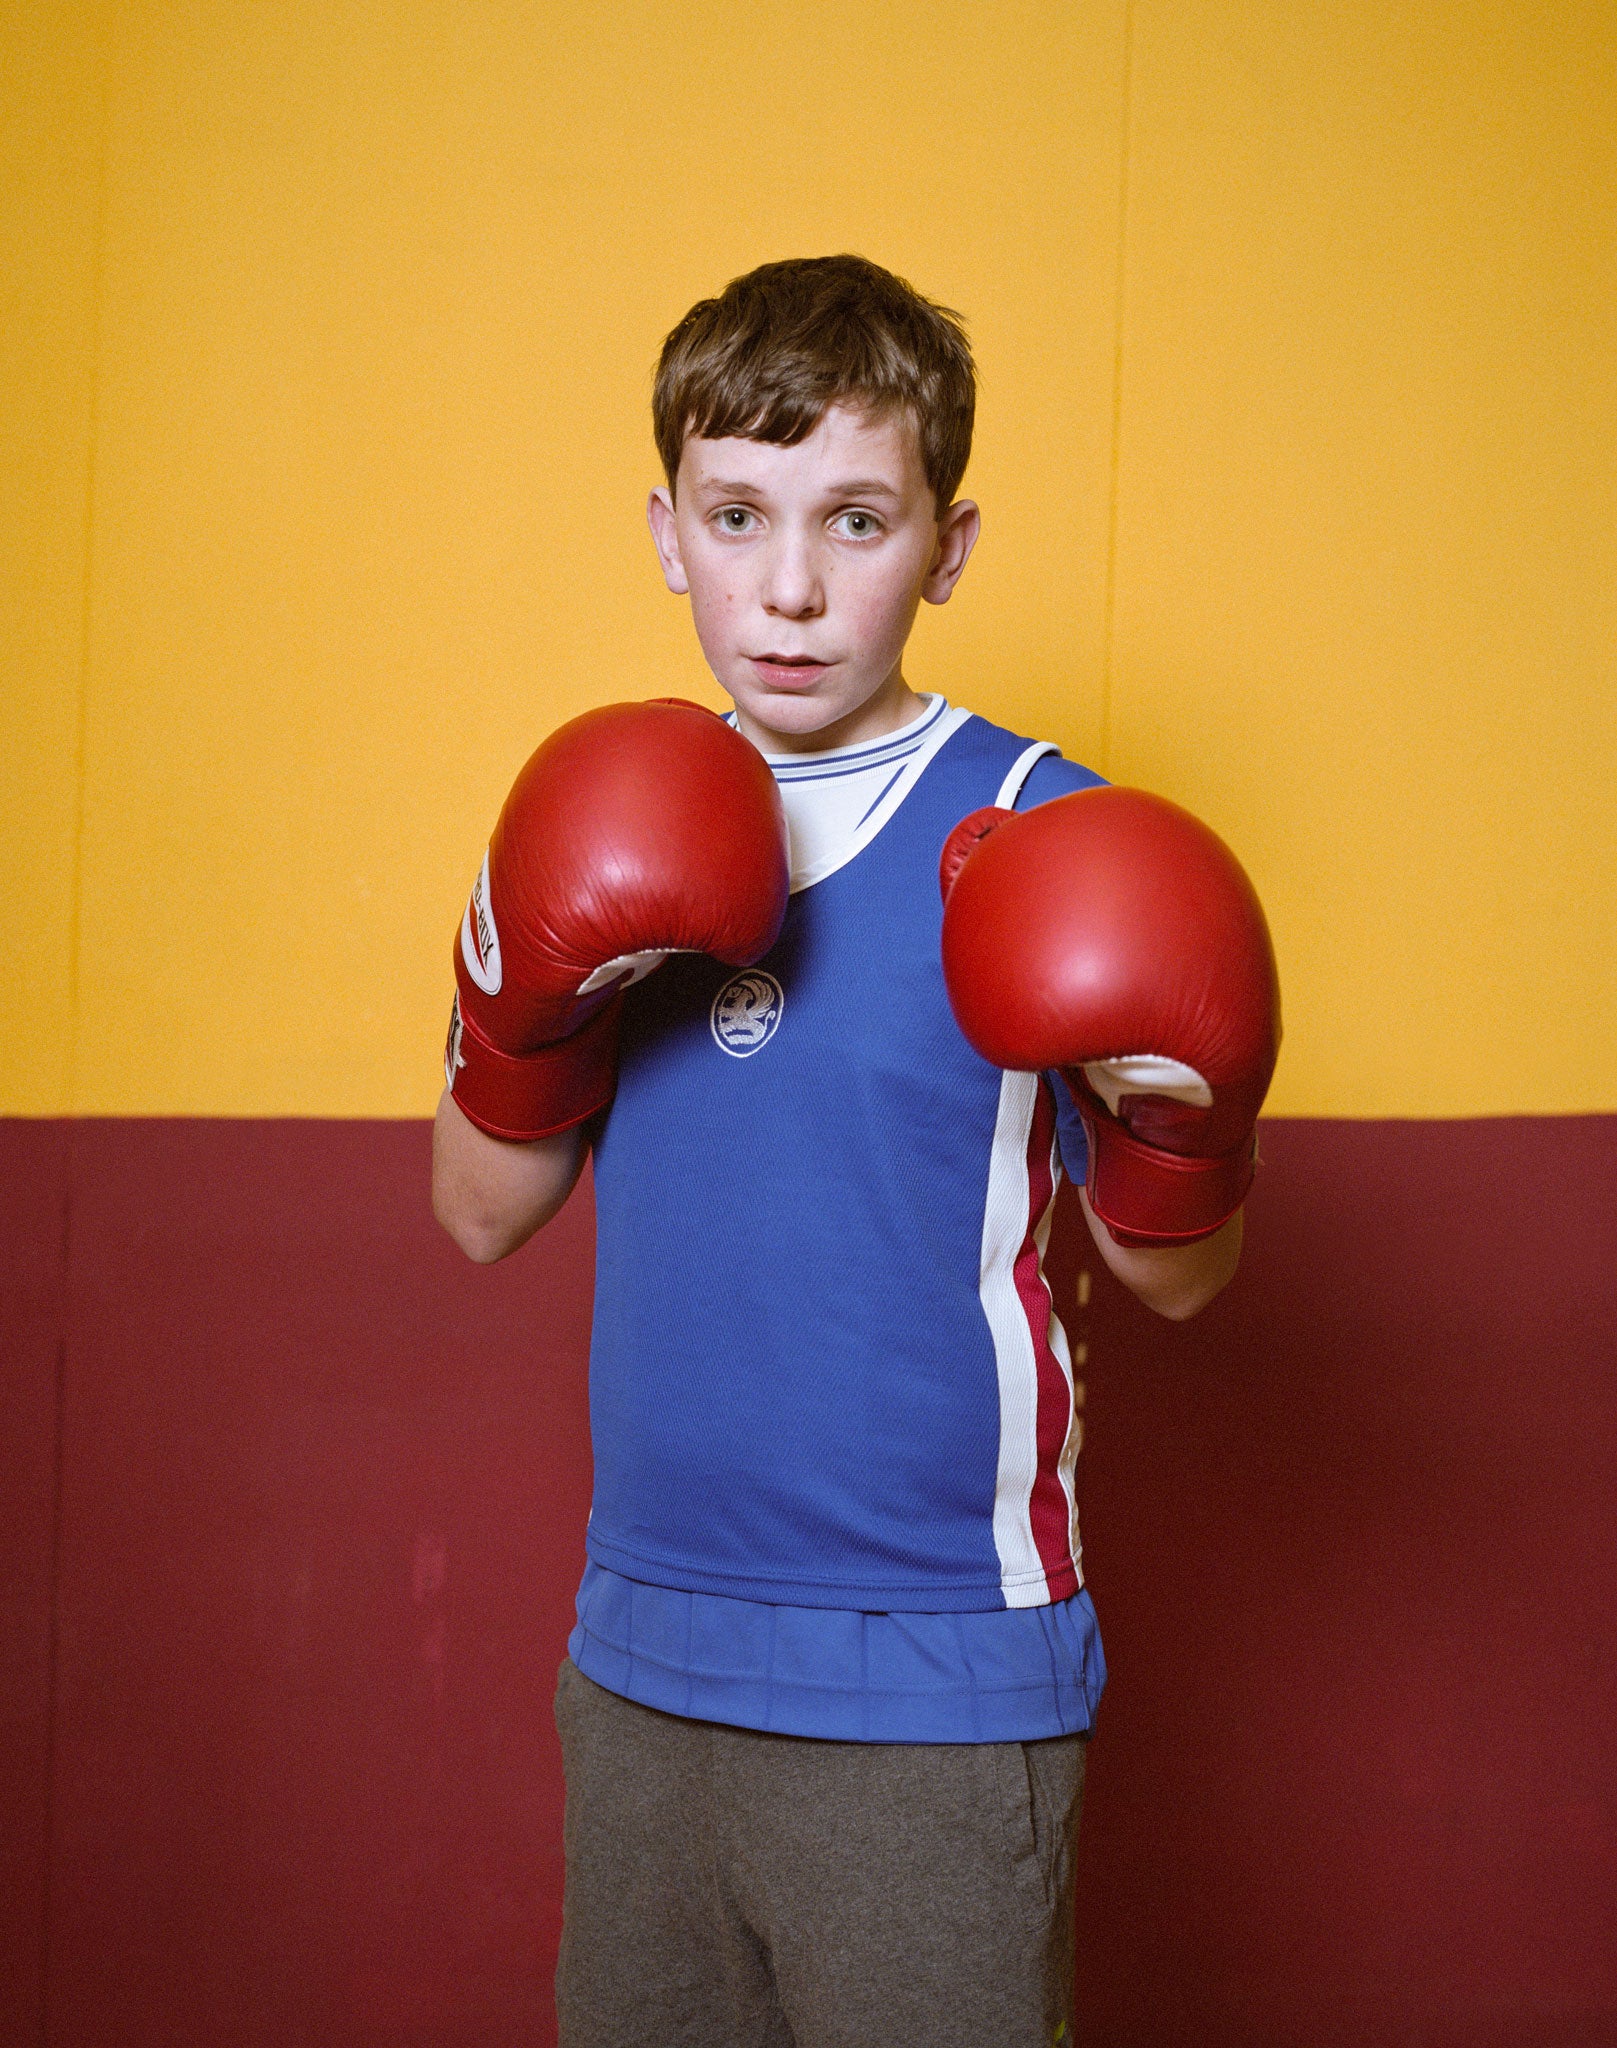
805,568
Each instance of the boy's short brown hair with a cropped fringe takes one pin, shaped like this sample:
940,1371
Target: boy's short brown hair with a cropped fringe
783,343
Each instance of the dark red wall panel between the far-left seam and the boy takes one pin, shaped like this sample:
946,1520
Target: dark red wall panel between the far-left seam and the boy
322,1508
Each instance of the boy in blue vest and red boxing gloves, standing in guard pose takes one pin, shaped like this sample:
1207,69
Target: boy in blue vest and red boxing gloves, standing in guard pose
826,1705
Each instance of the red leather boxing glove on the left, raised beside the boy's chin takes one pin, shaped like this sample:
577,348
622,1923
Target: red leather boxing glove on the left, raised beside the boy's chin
633,833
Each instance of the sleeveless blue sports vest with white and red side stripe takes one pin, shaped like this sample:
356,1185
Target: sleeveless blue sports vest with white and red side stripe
826,1369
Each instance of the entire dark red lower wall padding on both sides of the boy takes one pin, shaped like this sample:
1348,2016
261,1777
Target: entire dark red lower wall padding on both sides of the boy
294,1508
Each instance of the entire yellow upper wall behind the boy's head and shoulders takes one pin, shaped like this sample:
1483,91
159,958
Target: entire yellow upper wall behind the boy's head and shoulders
326,450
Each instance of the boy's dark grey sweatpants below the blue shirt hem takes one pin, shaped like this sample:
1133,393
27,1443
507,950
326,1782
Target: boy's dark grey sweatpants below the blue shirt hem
730,1889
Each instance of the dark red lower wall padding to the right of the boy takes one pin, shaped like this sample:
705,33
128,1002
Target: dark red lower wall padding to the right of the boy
1354,1545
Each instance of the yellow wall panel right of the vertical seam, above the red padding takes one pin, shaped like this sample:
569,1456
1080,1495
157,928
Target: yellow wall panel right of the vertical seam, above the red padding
1368,523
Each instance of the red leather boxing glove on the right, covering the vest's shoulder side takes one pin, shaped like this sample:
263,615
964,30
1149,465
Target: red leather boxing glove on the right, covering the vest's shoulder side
1119,939
